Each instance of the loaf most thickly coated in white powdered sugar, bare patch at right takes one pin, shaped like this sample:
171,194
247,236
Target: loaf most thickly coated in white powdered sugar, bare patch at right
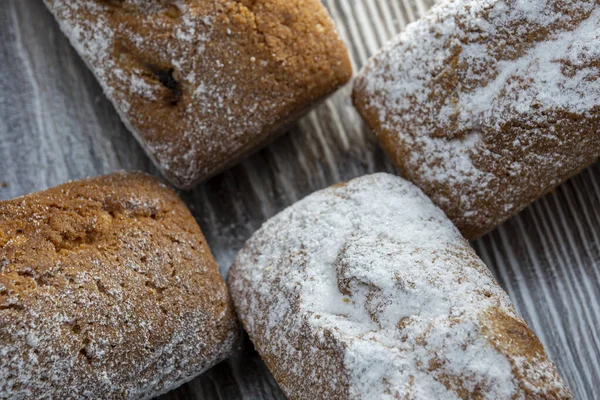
367,291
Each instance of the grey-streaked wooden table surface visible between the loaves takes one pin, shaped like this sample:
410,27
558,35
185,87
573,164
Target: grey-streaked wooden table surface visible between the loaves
55,126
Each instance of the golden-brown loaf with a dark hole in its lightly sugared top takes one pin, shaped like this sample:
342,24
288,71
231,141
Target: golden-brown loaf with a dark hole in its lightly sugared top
201,83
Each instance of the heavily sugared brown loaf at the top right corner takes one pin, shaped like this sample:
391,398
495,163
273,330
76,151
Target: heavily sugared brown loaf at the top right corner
488,104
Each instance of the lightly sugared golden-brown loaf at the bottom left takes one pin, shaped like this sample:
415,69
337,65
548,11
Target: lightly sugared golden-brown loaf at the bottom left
108,290
